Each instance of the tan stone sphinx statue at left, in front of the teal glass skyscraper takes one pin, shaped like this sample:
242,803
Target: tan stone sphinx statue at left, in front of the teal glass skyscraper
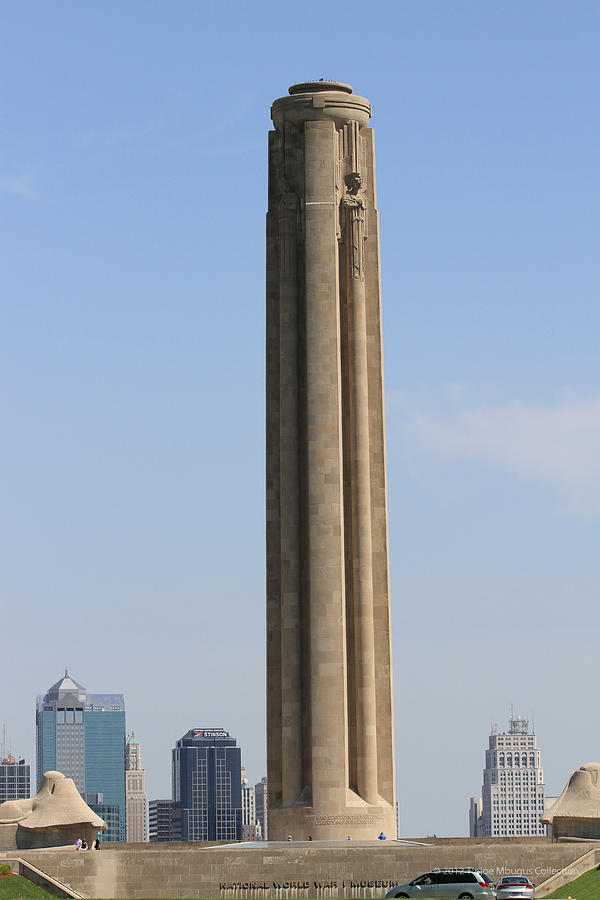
56,816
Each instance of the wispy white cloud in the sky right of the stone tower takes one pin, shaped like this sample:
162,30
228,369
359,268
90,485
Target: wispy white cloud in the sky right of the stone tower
554,444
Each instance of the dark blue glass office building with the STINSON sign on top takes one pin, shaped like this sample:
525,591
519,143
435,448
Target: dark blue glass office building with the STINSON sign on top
207,784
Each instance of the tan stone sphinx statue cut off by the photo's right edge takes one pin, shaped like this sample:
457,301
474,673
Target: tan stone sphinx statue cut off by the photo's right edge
576,813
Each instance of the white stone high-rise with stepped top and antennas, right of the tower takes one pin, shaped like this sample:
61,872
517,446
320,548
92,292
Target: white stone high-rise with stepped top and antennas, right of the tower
513,791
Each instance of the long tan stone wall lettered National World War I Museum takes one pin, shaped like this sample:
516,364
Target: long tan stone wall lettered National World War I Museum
274,871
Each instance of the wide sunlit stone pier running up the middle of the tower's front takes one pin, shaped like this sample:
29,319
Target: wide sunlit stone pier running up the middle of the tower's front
324,477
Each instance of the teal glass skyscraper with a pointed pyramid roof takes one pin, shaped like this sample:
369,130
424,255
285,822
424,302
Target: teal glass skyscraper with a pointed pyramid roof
82,735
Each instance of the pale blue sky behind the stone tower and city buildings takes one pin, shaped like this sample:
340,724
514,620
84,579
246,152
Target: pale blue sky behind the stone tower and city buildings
133,192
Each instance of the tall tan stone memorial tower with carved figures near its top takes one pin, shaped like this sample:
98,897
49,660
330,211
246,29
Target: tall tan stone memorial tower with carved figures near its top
330,758
